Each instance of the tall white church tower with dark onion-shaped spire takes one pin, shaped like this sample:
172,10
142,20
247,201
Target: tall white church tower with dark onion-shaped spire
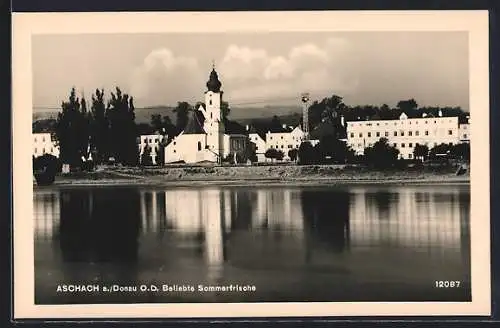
214,124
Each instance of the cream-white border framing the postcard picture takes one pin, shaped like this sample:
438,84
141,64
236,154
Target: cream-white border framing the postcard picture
25,25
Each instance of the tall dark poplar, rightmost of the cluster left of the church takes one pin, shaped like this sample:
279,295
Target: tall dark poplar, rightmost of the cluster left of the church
123,130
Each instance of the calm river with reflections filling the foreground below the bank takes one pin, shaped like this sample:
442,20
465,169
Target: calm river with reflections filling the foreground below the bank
271,244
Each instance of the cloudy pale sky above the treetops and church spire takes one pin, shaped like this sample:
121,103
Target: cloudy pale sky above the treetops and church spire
256,69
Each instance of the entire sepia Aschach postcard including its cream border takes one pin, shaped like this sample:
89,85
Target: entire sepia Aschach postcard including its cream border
196,164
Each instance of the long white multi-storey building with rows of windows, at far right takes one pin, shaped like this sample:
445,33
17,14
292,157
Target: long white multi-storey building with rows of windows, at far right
403,133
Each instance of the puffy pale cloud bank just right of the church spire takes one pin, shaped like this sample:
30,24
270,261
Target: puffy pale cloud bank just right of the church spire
254,73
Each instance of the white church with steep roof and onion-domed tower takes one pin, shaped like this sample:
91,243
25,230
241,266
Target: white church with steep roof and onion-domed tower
208,137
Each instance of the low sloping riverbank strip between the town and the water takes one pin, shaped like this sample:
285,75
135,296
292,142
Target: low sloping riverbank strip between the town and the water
260,175
